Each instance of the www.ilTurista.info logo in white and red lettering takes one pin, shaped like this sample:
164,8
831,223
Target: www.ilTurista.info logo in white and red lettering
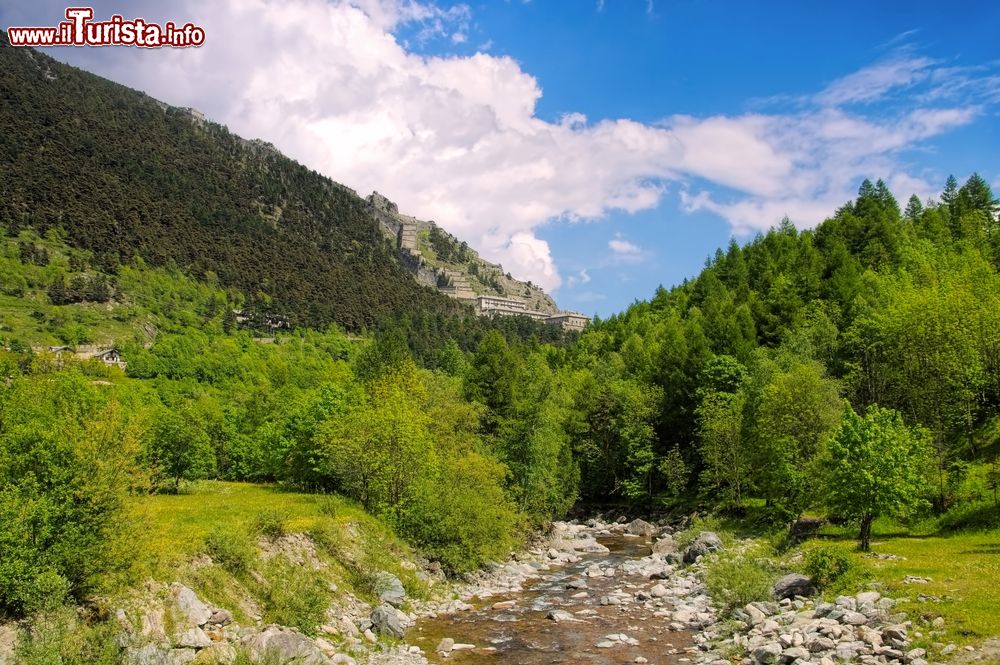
79,29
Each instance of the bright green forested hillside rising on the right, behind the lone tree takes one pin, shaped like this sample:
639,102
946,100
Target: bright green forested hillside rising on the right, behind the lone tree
744,367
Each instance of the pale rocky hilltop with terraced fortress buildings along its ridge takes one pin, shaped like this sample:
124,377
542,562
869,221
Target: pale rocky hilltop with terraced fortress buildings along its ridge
438,259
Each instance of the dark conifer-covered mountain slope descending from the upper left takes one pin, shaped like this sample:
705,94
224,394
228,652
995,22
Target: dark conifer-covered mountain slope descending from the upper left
127,176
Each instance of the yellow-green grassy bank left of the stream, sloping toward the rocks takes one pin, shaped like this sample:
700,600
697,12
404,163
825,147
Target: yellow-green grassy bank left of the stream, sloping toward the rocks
354,544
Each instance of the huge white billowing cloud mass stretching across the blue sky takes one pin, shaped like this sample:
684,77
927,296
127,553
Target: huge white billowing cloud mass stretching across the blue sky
334,84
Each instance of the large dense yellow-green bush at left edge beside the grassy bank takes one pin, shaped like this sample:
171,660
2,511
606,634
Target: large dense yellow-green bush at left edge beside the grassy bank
67,461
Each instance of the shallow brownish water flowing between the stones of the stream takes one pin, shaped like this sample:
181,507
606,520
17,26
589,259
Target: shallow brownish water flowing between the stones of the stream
524,634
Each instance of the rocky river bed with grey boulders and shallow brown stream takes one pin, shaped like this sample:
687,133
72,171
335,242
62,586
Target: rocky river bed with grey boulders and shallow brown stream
589,593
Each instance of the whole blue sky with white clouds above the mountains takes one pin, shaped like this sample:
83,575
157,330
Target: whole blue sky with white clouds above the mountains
598,148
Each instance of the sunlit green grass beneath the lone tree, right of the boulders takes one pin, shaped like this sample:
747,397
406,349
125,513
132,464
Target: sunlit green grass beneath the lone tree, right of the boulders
964,568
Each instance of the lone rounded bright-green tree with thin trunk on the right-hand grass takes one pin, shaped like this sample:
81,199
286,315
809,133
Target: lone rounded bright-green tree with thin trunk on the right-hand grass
876,468
